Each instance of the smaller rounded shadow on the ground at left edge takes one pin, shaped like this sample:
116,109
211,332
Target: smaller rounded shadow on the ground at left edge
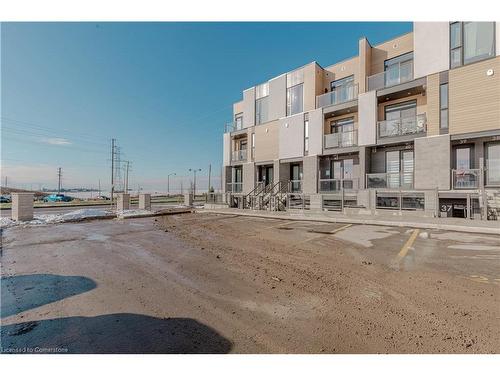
25,292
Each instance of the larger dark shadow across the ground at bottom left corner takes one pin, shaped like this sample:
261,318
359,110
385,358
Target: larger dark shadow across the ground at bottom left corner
114,333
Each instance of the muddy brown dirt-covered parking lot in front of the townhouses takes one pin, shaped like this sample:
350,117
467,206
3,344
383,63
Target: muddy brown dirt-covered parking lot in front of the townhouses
206,283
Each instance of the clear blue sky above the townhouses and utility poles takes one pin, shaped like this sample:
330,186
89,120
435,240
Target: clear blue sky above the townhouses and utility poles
163,90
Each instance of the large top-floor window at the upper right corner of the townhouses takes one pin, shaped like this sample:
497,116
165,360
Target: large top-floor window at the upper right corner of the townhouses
470,42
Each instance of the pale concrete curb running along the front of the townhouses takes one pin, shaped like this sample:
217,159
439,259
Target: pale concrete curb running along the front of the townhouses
419,225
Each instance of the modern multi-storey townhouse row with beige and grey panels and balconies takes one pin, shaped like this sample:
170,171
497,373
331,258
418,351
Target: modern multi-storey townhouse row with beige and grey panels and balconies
411,124
